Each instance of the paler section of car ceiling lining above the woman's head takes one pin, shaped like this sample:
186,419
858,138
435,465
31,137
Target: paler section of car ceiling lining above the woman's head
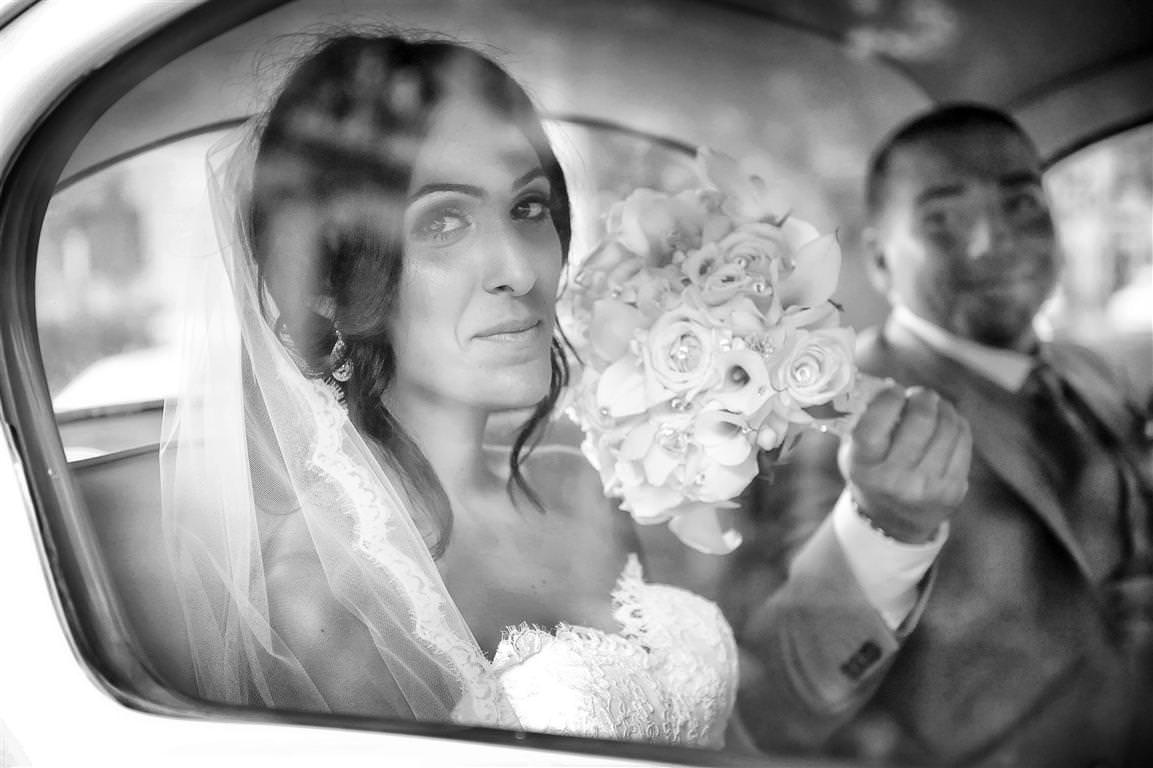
601,59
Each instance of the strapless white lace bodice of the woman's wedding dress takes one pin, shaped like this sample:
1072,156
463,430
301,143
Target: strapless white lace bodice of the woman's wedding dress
668,676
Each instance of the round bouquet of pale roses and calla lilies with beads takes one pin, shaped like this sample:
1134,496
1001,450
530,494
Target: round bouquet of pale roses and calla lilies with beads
705,329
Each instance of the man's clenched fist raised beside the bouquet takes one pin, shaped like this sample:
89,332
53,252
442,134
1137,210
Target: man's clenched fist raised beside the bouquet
907,462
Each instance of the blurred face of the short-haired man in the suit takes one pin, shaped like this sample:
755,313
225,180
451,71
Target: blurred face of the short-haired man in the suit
964,236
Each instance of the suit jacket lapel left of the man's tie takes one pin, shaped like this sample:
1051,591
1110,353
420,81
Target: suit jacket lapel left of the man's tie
1000,434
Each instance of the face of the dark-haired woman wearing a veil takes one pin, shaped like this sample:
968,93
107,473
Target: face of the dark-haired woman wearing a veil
481,263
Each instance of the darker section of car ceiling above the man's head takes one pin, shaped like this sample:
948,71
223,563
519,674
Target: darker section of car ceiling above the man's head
1071,71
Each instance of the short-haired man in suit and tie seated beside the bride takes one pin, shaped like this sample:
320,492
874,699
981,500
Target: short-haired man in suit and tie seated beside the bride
1029,642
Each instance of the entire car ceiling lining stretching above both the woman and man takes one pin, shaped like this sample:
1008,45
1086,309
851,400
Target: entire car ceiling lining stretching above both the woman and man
1072,71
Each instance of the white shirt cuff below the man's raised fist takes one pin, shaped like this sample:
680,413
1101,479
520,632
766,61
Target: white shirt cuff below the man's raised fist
888,570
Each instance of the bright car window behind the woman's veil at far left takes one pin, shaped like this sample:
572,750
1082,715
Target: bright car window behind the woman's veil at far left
114,249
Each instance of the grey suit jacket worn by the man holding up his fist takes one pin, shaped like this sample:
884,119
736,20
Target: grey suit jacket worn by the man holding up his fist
1009,658
